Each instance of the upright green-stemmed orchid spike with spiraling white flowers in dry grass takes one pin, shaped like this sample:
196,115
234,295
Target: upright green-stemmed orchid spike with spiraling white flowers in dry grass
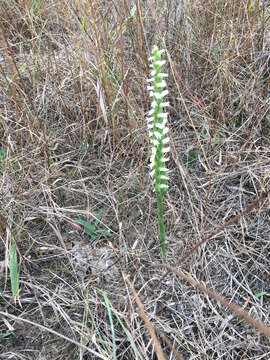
158,132
